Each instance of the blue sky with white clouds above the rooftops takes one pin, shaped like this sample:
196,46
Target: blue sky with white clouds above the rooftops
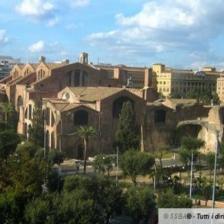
178,33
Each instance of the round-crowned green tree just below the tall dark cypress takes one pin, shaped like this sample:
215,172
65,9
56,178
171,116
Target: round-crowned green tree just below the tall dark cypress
135,163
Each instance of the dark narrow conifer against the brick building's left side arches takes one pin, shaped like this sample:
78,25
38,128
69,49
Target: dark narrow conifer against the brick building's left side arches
36,131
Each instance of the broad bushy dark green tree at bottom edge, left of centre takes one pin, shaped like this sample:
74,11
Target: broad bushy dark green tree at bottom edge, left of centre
90,198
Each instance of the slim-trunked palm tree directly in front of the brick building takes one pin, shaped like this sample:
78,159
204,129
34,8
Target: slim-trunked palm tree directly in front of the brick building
84,132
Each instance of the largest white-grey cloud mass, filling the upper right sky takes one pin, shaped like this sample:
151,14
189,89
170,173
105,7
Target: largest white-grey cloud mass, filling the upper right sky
161,27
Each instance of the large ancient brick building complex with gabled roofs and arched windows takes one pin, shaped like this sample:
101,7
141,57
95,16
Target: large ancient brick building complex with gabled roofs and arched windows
75,94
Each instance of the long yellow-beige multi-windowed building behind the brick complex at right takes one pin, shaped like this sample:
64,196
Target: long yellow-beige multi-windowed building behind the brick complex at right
178,83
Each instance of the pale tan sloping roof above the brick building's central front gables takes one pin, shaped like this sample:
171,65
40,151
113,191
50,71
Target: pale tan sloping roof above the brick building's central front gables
92,94
